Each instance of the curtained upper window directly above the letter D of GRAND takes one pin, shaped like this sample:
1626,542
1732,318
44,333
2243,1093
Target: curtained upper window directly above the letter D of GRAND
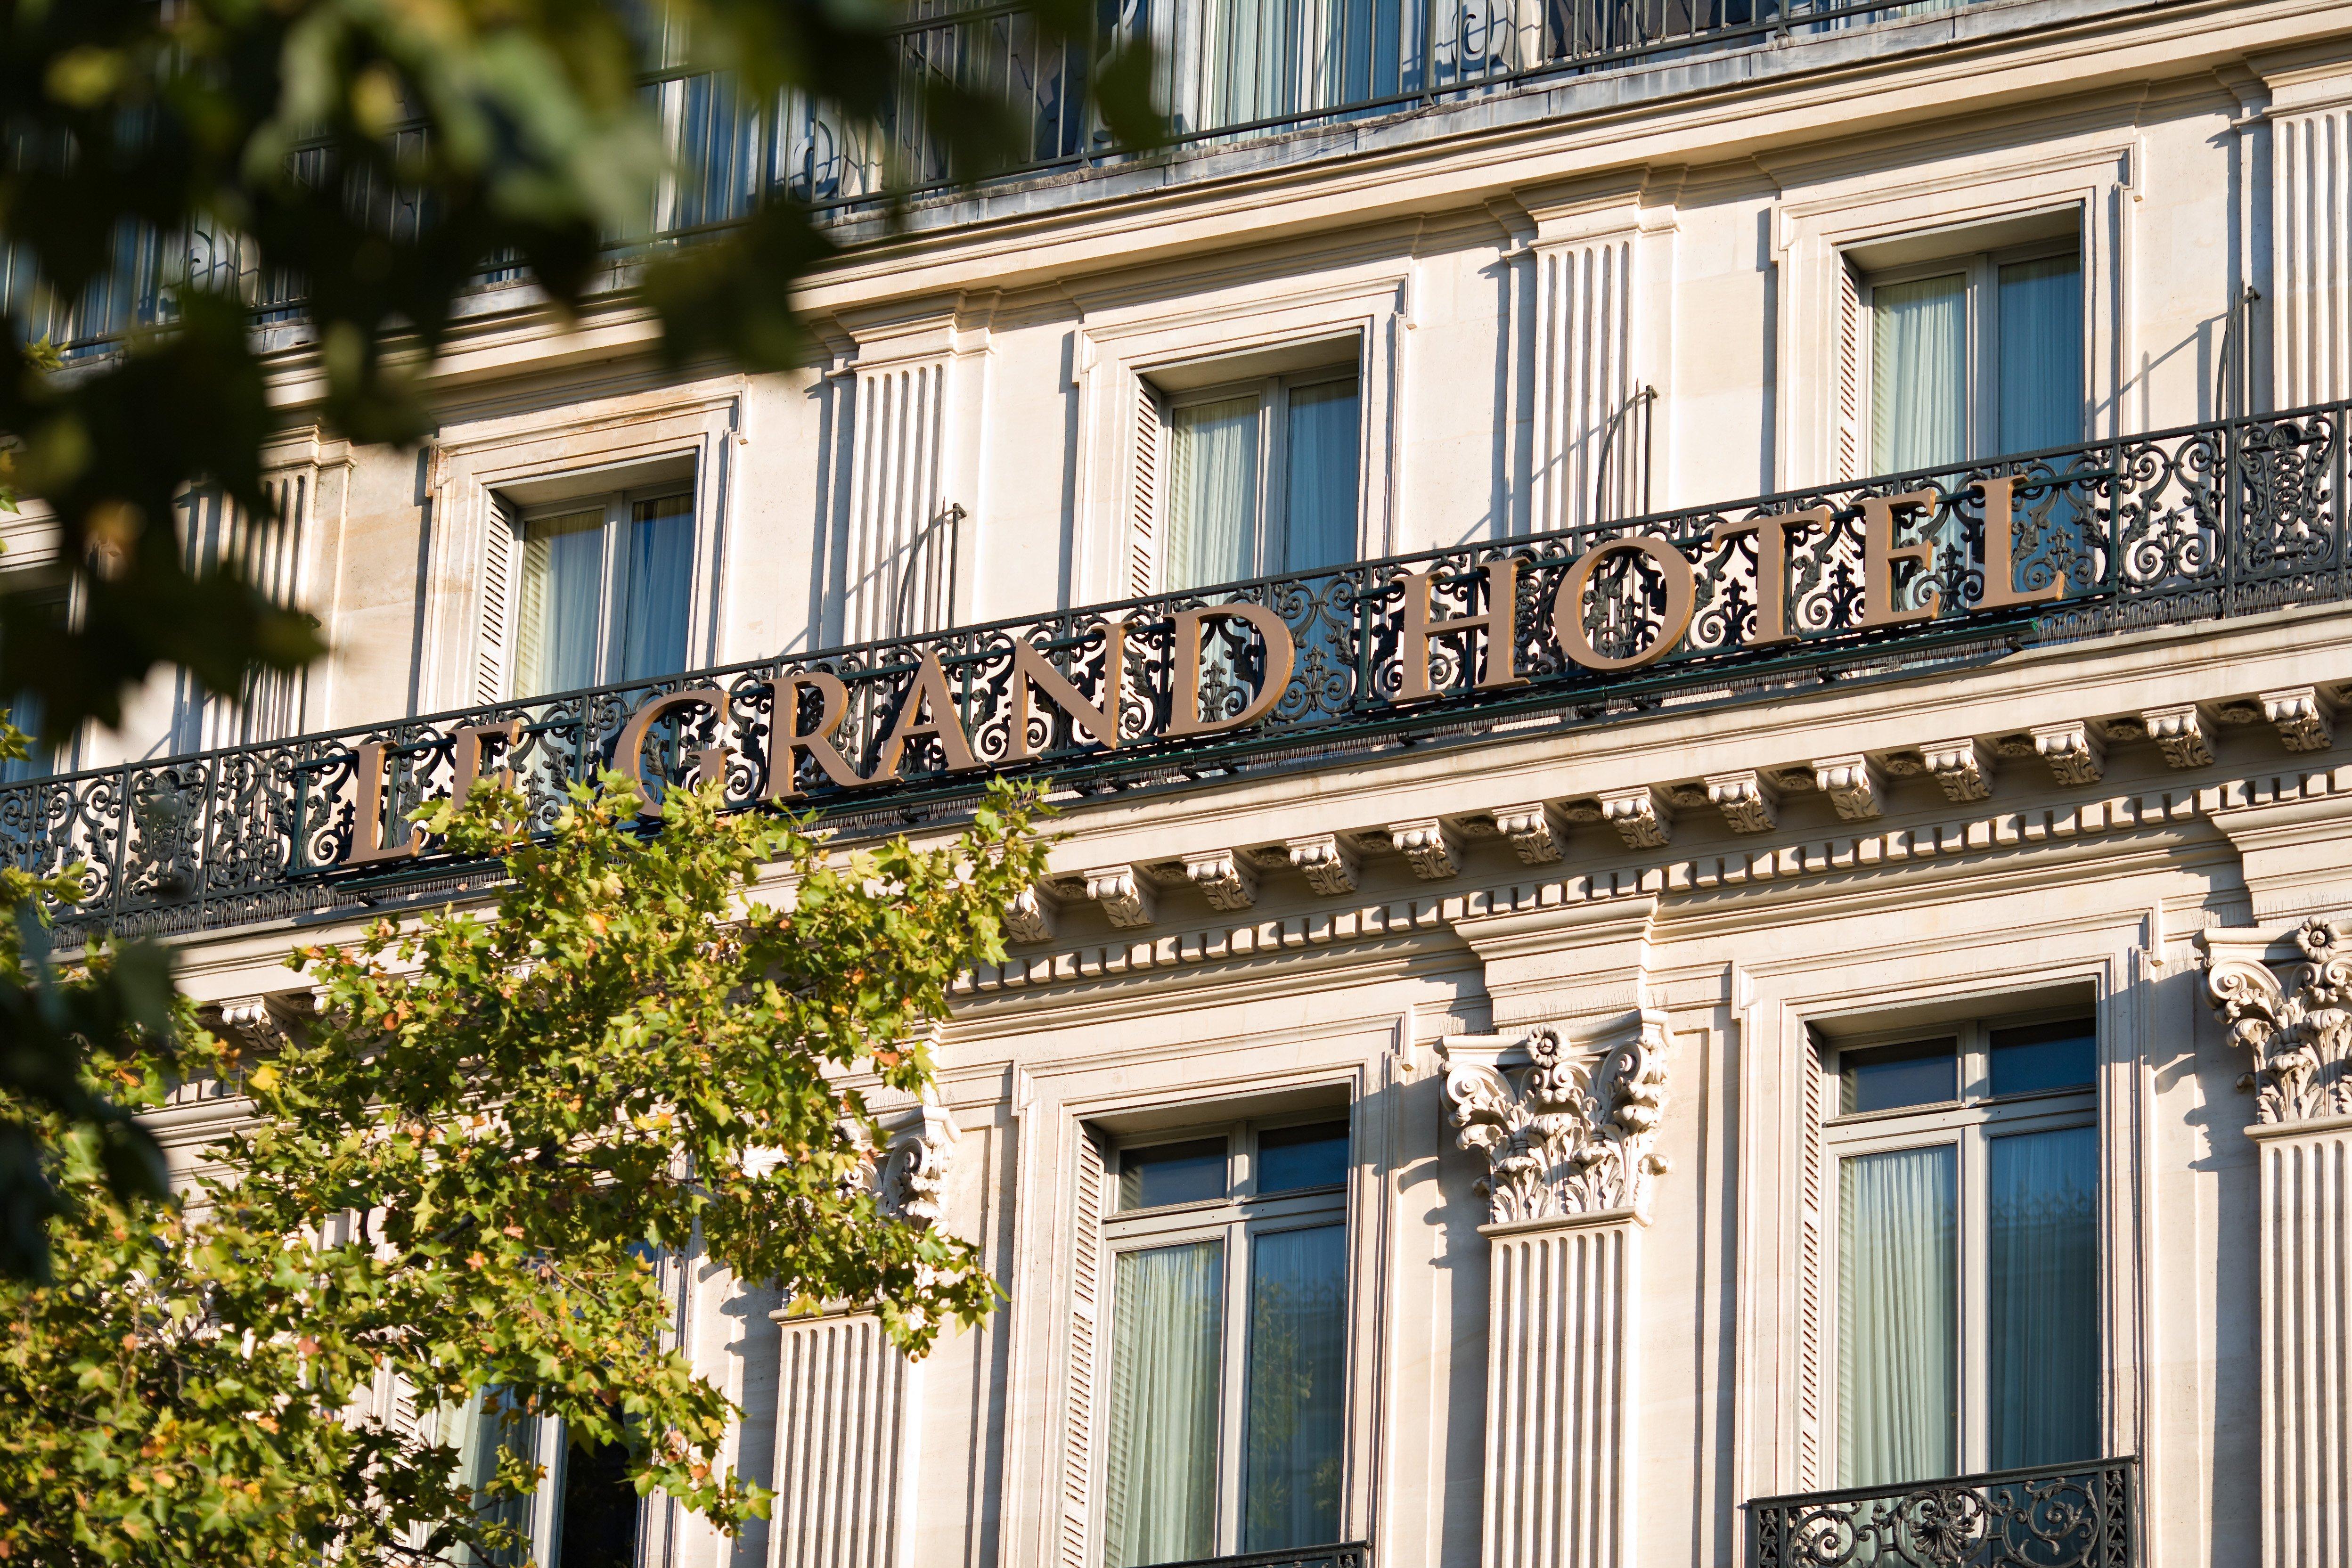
1262,478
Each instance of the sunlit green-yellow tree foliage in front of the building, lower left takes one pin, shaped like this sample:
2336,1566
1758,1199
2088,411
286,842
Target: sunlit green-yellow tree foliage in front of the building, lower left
457,1174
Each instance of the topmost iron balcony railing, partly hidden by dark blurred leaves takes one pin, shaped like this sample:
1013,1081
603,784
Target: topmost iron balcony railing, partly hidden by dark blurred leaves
1229,72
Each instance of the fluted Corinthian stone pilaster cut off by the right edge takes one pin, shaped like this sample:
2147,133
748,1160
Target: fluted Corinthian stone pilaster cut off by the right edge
2301,1043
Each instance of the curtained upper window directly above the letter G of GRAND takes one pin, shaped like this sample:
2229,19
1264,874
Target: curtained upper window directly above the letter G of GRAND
603,591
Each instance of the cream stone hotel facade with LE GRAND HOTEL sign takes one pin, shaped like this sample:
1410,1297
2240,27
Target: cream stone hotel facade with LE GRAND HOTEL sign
1690,659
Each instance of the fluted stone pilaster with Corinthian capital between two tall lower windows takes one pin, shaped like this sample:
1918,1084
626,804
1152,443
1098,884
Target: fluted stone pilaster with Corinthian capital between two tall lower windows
1568,1127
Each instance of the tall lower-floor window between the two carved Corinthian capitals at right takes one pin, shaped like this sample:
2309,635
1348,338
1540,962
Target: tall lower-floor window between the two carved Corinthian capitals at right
1965,1174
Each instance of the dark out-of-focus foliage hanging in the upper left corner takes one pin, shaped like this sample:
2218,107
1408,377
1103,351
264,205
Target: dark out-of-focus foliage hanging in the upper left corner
382,154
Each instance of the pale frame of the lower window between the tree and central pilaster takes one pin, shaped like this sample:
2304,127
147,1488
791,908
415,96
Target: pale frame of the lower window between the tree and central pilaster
1234,1221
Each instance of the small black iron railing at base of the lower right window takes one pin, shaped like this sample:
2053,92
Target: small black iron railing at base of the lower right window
2054,1517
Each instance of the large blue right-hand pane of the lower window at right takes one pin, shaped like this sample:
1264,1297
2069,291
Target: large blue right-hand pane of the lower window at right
2043,1233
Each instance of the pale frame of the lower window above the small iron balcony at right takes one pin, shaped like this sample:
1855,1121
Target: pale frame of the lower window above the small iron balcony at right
1967,1125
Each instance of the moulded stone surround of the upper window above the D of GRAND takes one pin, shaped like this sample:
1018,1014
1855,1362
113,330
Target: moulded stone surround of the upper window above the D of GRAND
1123,342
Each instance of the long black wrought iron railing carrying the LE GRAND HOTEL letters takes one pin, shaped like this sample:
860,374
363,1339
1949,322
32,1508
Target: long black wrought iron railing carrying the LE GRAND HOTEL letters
1582,629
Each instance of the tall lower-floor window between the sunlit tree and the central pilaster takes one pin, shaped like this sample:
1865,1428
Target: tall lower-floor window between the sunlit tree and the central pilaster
1229,1318
